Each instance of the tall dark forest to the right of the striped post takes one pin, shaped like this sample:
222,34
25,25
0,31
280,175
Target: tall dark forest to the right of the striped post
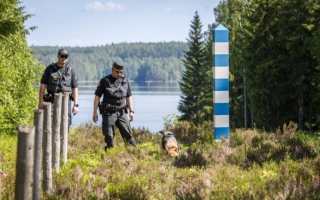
274,61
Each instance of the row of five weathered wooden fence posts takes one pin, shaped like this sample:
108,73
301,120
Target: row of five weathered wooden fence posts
42,144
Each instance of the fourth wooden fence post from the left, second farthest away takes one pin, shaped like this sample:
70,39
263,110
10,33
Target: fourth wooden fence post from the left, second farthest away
56,132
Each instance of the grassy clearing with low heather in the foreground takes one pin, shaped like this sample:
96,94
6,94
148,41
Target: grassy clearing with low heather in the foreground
251,165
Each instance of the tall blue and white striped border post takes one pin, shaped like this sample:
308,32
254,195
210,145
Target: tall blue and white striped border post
220,51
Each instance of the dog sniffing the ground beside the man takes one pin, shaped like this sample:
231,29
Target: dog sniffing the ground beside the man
169,143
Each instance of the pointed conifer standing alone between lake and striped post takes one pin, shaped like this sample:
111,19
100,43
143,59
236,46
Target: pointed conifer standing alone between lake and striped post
194,85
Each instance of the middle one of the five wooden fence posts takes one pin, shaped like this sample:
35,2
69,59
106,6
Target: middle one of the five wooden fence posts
47,147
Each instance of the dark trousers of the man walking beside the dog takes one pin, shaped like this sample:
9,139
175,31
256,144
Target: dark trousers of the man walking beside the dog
110,119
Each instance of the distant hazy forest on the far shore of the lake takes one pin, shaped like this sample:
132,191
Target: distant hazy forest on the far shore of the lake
143,61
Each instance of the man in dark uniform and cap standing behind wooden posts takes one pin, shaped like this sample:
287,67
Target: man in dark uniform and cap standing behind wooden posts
59,77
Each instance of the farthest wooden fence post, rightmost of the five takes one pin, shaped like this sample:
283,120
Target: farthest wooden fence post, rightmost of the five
64,126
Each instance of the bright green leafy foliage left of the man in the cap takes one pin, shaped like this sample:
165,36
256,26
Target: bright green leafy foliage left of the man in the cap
19,72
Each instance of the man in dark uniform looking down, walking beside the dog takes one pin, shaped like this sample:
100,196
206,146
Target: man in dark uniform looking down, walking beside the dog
117,99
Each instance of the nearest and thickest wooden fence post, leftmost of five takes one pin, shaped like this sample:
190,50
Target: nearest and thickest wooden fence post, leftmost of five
24,164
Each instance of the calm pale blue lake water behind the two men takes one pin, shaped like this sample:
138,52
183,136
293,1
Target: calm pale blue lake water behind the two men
151,102
